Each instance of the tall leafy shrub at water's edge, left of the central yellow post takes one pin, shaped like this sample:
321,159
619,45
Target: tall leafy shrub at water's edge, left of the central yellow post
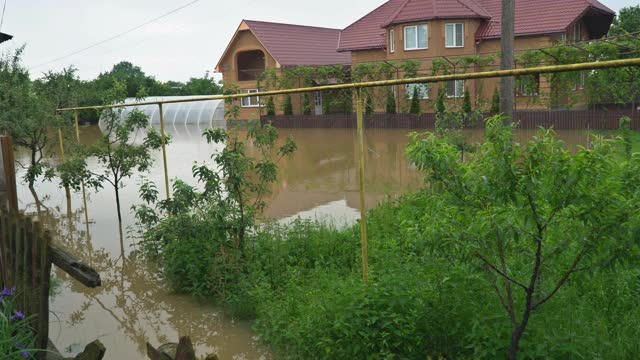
201,236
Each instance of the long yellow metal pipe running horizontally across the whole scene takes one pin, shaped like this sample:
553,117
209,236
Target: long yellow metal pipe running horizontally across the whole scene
425,79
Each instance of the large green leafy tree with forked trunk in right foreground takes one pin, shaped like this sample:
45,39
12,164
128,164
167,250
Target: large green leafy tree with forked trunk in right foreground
529,217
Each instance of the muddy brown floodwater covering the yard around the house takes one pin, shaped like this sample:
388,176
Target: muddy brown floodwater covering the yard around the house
133,307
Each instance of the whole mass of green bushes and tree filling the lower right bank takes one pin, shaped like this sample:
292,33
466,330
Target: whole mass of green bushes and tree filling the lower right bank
520,251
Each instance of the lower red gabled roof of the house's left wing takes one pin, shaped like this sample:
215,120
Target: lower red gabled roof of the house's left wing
296,44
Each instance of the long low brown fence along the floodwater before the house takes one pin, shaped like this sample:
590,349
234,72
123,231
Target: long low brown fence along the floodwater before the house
530,119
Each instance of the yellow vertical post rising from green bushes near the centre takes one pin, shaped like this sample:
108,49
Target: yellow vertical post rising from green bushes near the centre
363,208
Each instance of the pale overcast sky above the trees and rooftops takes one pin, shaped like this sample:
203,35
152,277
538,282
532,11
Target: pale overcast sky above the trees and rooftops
182,45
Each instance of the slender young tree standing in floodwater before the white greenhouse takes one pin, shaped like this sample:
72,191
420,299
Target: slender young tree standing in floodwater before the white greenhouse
114,150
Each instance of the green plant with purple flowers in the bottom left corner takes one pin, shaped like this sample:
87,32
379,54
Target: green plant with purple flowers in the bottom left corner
17,341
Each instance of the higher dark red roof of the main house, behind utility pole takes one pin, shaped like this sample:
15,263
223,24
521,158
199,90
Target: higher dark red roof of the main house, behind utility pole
532,17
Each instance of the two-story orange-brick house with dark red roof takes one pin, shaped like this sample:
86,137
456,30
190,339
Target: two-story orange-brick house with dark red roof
427,29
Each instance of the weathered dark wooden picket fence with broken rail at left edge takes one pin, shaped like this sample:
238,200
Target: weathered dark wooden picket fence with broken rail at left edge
27,255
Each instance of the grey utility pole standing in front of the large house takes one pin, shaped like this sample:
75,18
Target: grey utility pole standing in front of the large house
506,61
